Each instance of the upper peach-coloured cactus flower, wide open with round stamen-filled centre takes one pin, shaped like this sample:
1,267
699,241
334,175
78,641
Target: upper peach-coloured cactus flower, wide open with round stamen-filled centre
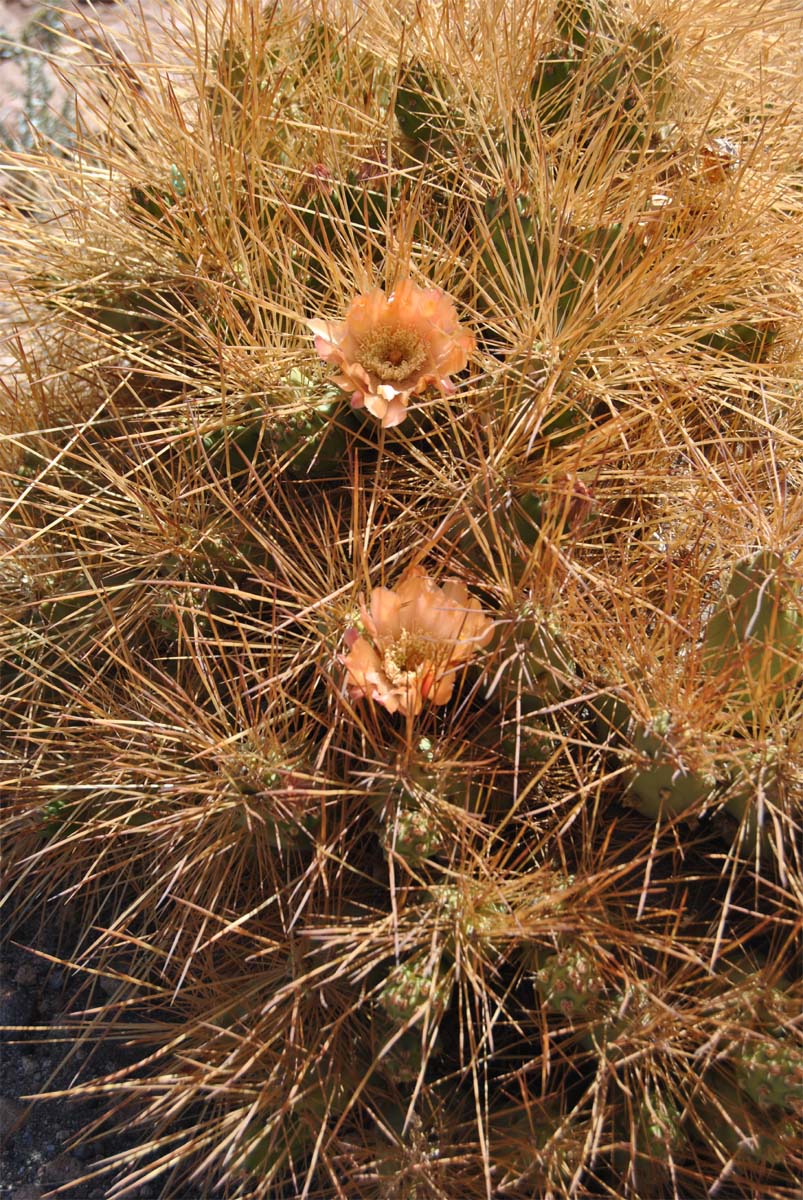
391,349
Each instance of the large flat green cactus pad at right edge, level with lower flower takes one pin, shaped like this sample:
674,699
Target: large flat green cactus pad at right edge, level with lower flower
754,640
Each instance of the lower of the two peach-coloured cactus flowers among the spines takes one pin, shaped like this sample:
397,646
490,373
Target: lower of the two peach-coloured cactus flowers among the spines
418,637
